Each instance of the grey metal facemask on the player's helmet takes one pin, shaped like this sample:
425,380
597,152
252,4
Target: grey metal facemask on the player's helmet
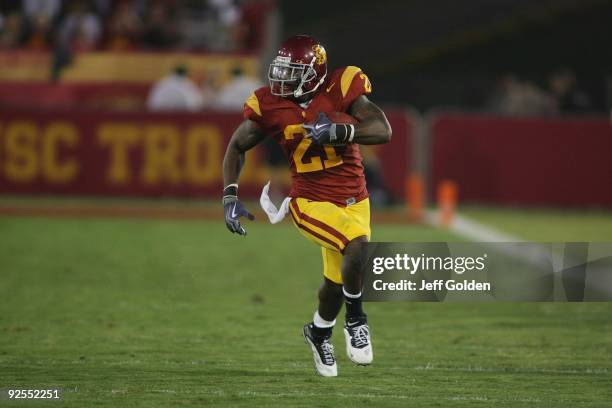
287,79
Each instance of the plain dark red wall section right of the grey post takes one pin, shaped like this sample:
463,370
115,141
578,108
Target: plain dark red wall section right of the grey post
523,161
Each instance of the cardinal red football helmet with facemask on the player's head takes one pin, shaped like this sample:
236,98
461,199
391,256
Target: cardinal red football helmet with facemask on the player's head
299,69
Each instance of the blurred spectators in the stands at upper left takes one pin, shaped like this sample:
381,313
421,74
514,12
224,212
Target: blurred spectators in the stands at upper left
211,25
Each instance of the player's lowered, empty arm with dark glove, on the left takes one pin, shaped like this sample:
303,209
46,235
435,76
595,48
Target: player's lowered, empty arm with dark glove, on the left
246,136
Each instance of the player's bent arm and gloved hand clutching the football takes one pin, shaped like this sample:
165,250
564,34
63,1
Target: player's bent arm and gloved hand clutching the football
372,127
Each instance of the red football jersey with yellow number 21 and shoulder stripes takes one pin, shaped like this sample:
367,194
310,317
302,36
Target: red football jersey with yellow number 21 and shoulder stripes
319,173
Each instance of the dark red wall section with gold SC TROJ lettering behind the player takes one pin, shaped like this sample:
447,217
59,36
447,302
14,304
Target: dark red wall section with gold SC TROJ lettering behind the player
145,154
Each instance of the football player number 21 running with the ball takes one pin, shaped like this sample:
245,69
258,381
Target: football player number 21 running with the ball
329,201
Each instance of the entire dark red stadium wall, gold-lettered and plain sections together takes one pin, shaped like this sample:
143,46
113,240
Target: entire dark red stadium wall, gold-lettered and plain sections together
492,160
